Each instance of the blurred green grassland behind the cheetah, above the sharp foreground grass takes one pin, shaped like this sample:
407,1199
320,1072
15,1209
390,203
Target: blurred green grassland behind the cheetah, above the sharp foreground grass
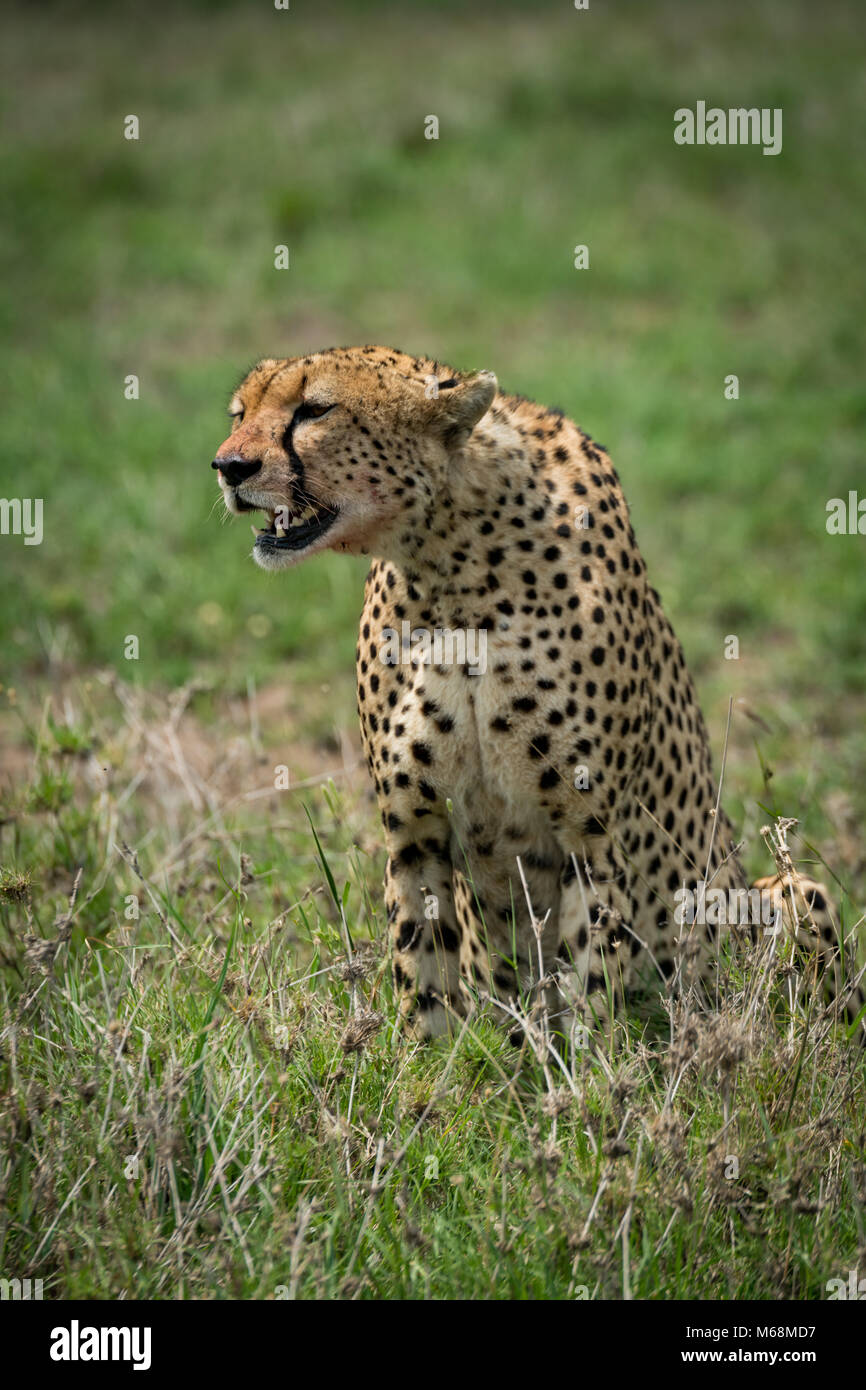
307,127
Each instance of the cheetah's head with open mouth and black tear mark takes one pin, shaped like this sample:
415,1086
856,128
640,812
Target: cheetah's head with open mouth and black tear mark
344,450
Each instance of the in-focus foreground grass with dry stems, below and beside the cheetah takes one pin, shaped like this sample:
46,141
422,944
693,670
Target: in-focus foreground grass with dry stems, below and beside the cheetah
206,1093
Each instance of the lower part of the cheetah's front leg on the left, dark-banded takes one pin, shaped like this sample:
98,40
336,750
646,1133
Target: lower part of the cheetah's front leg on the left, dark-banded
425,933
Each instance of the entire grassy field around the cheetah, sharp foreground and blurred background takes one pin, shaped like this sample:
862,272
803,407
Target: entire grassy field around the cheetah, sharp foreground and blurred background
156,258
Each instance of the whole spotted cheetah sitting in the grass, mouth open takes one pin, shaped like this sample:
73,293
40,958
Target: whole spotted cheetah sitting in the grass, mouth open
540,758
